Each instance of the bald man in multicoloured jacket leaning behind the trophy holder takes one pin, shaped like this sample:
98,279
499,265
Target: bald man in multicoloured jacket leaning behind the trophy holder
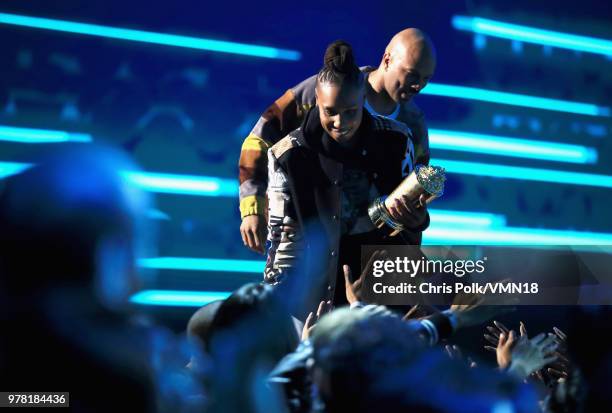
407,64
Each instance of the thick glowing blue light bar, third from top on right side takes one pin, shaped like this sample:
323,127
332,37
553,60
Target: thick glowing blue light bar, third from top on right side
520,148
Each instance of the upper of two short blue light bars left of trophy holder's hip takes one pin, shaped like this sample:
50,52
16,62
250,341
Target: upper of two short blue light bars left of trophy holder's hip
203,264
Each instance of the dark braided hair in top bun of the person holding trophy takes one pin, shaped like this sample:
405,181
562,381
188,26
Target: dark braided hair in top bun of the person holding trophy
339,65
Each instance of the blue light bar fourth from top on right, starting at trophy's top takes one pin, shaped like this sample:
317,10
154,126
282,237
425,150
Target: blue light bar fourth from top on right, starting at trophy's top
525,174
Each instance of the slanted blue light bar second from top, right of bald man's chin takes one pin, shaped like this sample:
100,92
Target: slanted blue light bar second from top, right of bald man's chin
514,99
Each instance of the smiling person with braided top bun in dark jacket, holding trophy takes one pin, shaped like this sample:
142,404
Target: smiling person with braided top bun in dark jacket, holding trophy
328,171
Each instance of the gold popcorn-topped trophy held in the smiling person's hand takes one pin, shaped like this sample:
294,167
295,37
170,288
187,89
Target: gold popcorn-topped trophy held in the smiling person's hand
423,185
